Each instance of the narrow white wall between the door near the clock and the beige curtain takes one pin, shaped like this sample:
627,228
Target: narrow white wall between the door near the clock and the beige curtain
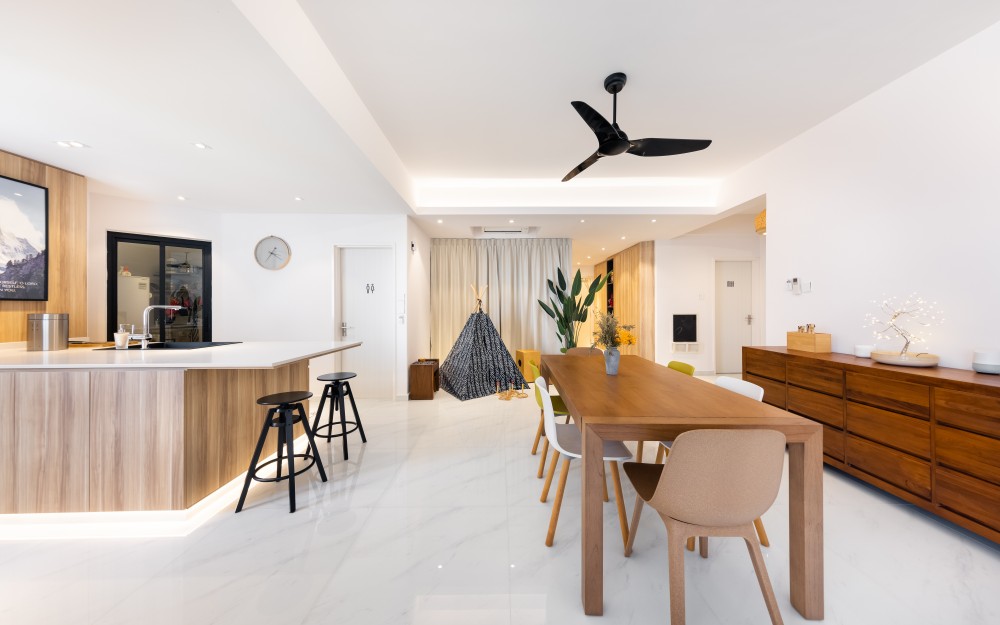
418,298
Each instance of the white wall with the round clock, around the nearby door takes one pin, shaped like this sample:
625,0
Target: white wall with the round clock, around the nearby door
298,303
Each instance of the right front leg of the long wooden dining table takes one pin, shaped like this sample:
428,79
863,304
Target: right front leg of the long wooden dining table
805,525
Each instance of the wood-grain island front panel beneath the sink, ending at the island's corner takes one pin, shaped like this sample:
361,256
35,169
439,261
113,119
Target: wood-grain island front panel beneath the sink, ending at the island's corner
135,440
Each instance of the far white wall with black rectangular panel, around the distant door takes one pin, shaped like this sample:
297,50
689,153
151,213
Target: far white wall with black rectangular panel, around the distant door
685,284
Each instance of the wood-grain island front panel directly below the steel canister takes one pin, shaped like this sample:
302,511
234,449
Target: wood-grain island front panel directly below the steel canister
51,438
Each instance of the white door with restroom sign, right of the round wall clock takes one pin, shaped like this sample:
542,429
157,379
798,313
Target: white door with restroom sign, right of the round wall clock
366,313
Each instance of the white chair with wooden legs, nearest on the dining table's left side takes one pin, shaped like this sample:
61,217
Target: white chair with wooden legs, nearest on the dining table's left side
566,439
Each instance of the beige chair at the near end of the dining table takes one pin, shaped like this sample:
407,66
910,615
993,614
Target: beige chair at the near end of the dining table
714,483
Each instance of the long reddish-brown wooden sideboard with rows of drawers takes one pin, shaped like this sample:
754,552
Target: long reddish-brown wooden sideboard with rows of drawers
928,436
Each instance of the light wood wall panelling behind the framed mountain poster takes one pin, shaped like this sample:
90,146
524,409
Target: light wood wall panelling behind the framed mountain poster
67,248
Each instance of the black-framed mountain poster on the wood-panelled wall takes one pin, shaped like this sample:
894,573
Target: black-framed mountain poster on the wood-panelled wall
24,238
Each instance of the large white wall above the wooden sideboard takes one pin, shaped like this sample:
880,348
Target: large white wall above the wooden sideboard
898,193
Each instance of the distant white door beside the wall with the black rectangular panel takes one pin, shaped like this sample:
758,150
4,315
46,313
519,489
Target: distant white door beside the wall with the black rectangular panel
733,314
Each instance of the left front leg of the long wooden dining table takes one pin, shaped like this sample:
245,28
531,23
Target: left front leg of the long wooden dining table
592,542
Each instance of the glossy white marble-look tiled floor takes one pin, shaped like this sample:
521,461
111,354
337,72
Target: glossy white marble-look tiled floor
437,521
